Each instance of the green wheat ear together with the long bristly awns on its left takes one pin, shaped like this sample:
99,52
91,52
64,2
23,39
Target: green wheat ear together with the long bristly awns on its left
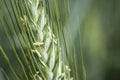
42,55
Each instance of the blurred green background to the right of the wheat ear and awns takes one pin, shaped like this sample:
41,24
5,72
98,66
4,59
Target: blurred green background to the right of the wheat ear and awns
99,23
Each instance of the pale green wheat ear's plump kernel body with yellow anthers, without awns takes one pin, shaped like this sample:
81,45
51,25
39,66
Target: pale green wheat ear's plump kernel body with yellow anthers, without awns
49,52
